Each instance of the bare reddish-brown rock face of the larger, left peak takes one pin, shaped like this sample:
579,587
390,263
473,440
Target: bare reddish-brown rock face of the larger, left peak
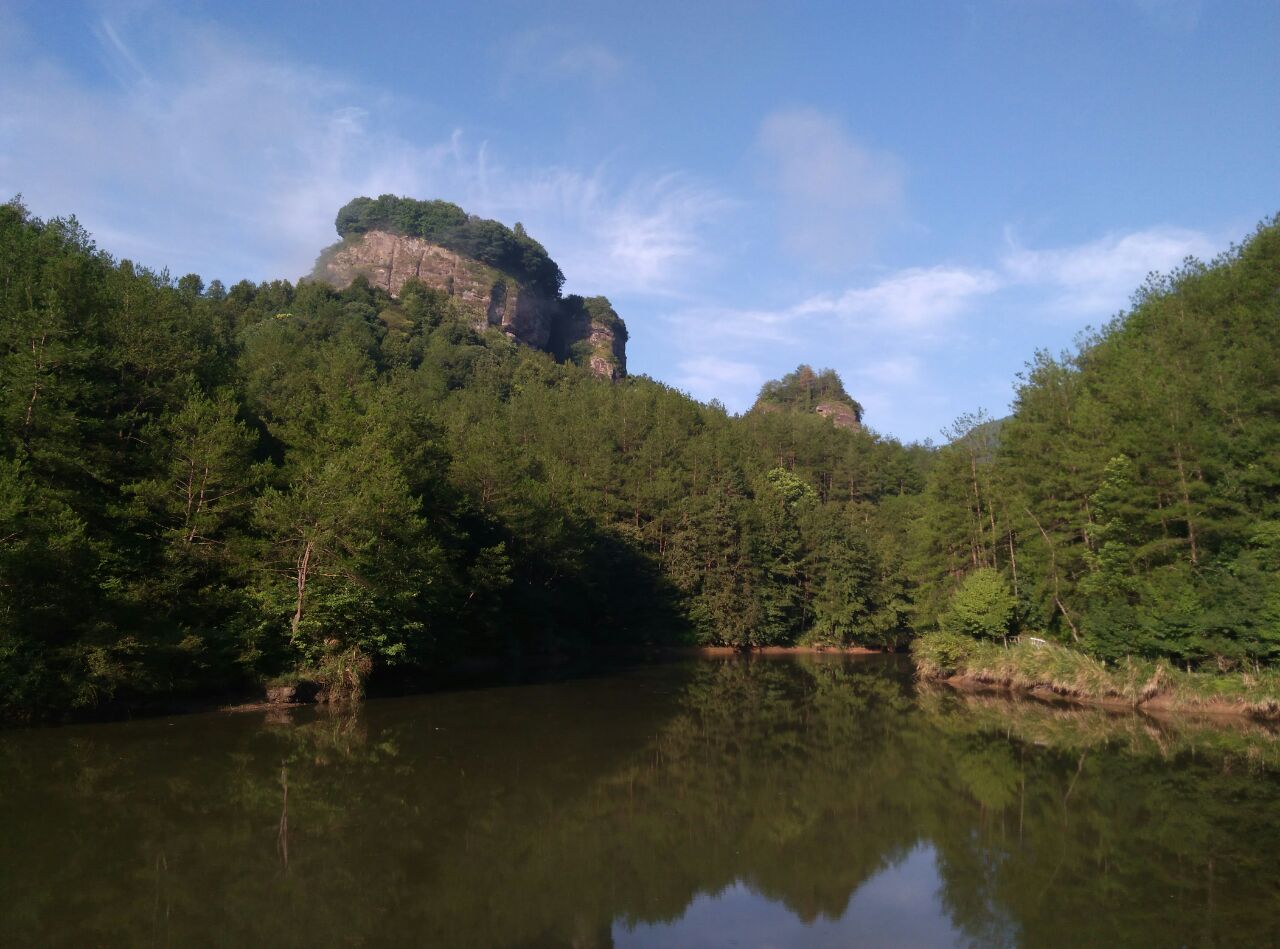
587,332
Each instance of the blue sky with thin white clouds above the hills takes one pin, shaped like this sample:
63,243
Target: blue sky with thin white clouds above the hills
917,195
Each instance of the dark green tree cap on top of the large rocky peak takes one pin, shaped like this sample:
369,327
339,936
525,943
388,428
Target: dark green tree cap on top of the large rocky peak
510,250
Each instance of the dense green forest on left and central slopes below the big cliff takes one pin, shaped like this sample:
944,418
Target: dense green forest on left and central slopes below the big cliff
203,489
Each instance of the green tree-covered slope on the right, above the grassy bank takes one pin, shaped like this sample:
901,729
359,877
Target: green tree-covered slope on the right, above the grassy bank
1132,503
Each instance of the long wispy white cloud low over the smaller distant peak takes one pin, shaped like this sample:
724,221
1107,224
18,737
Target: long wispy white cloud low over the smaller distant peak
897,339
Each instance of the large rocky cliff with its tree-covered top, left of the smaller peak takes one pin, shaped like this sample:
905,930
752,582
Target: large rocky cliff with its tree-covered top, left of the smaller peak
531,311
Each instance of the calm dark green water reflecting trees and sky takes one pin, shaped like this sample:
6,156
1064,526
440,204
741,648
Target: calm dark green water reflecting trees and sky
747,804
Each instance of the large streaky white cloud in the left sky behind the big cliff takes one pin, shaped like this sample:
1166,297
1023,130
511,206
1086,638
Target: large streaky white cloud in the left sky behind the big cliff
209,156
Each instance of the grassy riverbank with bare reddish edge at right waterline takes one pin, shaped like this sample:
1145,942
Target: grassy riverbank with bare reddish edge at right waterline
1046,670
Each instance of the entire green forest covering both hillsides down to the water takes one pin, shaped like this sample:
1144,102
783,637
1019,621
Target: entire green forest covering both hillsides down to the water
208,489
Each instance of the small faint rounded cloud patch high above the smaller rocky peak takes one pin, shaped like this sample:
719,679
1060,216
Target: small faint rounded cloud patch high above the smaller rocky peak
836,194
